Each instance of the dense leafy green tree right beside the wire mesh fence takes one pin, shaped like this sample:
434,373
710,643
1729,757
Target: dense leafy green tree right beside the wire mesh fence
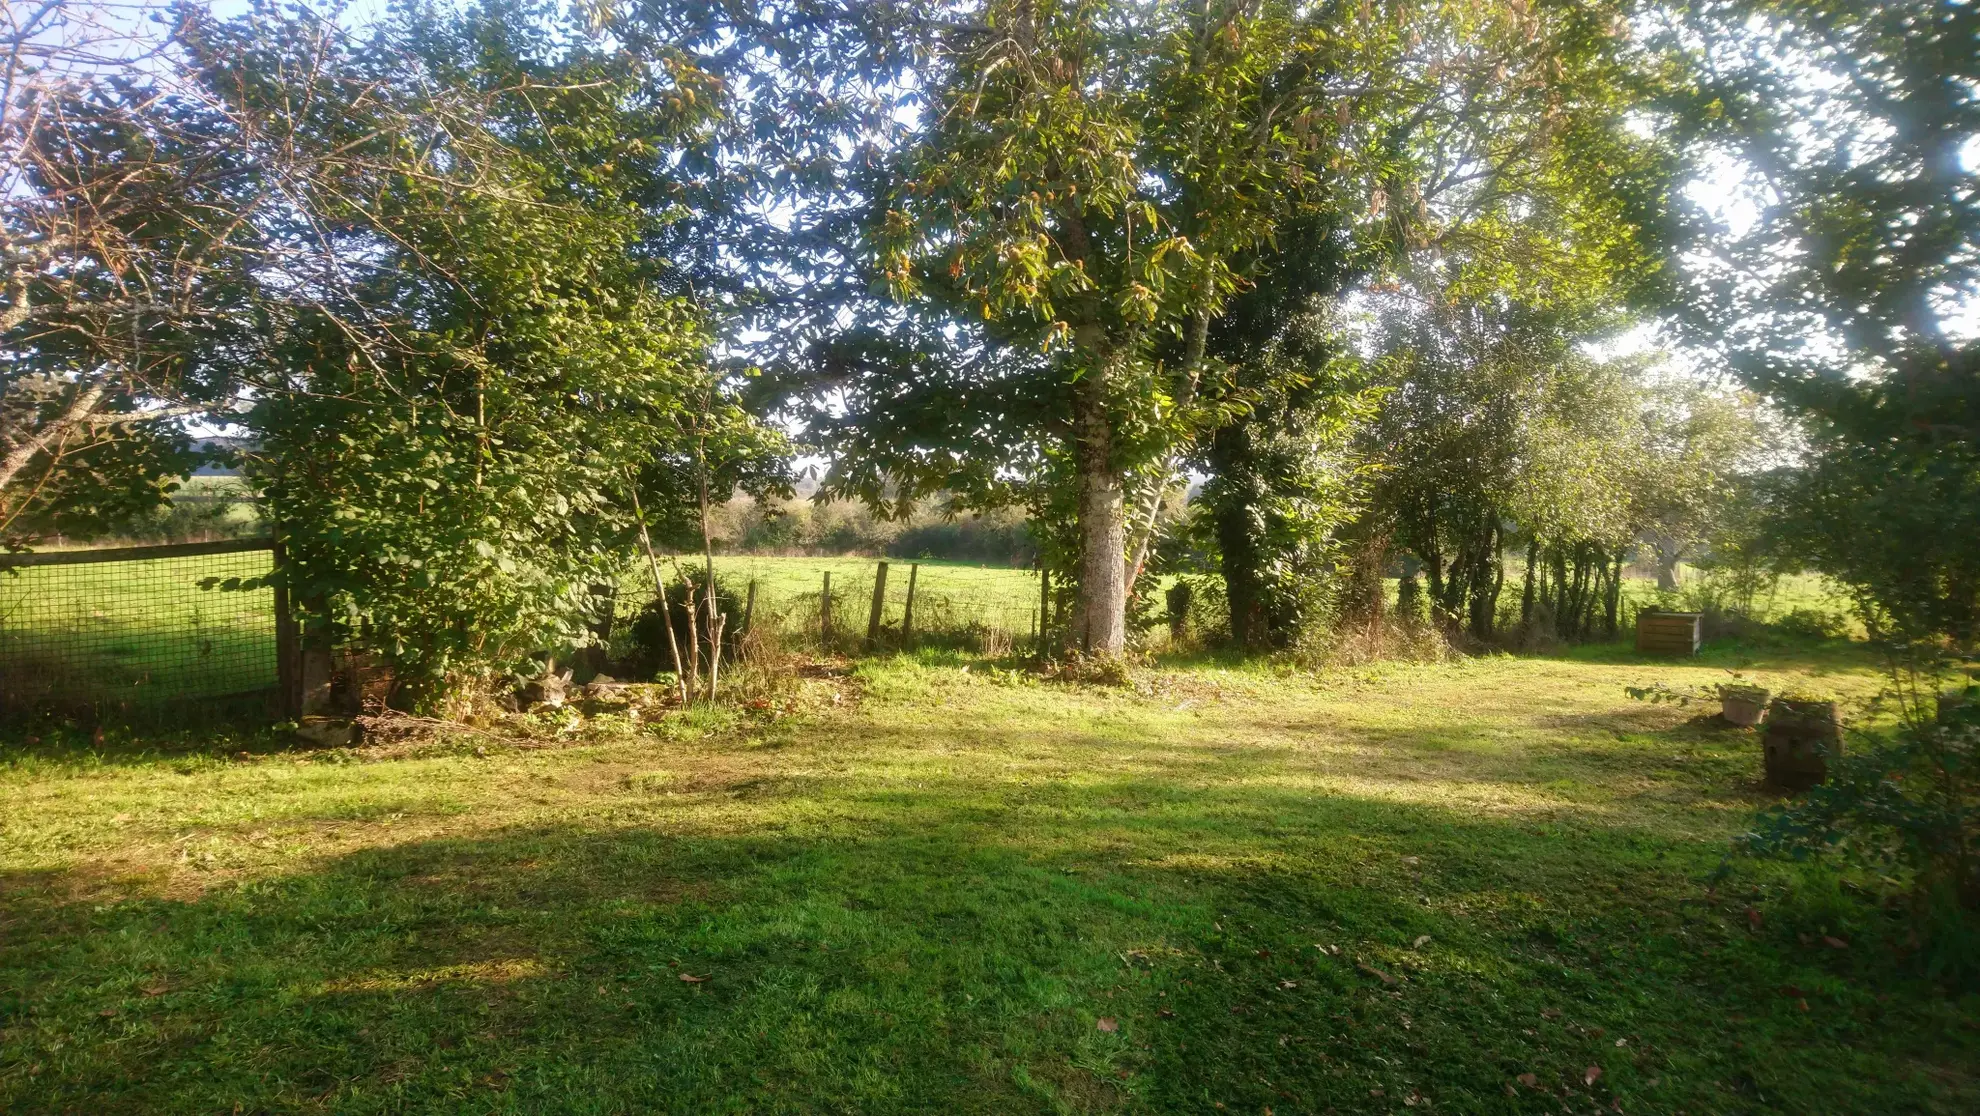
450,438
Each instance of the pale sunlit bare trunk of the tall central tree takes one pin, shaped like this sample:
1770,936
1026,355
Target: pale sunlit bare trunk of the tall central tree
1100,622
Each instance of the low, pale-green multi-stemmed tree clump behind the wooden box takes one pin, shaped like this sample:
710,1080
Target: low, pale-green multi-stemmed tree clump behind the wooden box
1500,430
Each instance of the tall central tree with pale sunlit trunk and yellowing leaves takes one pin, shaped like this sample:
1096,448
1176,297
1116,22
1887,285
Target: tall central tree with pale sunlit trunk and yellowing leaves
1090,179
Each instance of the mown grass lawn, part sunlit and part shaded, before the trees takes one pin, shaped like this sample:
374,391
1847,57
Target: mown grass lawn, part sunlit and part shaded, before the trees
934,885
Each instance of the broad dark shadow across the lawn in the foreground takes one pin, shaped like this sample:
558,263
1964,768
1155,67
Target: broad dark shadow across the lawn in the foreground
1122,945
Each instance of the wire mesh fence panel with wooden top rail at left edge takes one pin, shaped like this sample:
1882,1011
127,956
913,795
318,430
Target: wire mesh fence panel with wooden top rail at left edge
138,626
